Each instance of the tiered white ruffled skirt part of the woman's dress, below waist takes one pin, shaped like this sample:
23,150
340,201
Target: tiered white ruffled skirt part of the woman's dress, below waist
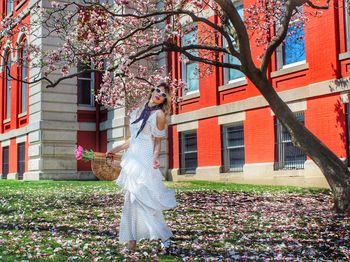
145,197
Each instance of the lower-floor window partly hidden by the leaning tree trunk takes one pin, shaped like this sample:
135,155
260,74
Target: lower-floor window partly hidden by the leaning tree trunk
287,155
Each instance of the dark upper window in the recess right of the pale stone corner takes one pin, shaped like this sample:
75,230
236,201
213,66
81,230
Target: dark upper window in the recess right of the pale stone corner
86,86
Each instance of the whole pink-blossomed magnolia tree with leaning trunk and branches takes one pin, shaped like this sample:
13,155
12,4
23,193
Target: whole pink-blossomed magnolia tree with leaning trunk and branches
118,36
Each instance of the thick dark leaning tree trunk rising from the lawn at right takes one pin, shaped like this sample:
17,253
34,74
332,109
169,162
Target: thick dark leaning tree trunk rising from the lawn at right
335,171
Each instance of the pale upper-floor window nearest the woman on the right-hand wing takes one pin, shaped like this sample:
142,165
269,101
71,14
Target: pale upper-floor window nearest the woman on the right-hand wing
190,69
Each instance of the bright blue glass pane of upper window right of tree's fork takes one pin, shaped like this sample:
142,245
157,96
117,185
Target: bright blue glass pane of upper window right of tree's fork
294,47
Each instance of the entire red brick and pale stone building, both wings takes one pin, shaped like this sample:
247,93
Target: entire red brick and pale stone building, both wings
222,130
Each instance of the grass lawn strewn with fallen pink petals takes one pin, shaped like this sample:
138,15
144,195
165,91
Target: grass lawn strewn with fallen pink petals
78,221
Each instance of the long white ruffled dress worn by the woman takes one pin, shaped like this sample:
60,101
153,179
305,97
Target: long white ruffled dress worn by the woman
145,195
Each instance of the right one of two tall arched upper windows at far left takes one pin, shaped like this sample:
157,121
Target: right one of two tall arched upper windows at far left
24,77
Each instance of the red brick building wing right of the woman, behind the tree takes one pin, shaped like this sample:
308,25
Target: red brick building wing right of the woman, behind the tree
224,129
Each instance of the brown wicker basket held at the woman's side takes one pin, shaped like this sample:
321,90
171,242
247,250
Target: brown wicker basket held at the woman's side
106,168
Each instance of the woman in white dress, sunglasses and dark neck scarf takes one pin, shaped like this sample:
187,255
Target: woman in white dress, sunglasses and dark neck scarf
145,195
